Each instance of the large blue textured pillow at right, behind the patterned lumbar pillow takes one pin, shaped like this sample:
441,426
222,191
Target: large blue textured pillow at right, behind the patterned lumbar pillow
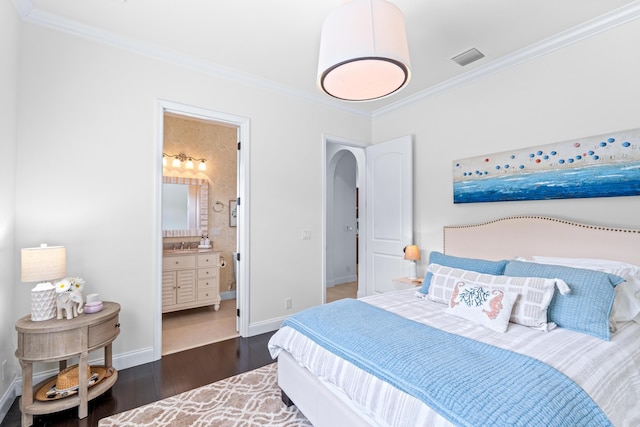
587,307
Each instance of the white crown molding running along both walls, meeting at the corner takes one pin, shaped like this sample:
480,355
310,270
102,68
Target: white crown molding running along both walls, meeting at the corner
588,29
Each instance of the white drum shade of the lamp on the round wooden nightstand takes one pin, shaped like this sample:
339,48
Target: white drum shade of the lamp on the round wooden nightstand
43,263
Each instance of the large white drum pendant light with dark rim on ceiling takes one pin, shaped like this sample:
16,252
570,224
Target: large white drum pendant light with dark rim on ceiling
363,51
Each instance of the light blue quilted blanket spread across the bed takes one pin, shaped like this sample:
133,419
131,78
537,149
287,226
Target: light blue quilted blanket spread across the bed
468,382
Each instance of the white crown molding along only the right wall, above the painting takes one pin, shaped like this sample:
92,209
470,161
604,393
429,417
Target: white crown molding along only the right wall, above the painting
573,35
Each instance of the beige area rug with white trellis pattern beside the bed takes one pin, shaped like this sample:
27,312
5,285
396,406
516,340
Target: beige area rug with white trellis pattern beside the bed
249,399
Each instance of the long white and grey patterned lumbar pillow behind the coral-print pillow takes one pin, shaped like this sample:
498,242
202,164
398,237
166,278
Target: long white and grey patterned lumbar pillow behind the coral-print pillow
530,308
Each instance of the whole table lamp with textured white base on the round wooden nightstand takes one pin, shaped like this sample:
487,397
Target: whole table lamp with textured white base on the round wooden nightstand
42,265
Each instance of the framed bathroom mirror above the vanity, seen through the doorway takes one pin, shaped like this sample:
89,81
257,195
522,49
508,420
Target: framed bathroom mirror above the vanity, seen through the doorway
184,206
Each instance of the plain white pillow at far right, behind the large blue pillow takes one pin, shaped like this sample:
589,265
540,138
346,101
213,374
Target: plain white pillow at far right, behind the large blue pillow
626,304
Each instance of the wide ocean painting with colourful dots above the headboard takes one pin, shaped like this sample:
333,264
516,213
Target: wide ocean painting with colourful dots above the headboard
596,166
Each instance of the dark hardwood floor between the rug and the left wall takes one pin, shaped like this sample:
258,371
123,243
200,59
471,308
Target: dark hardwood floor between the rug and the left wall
171,375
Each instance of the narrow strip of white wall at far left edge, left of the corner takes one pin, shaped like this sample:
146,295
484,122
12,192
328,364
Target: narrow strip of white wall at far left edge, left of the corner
9,256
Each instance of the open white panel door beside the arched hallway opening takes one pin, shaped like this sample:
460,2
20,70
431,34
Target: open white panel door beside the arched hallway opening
389,209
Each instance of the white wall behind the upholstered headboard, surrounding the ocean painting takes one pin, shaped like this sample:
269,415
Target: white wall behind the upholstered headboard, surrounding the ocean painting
588,88
